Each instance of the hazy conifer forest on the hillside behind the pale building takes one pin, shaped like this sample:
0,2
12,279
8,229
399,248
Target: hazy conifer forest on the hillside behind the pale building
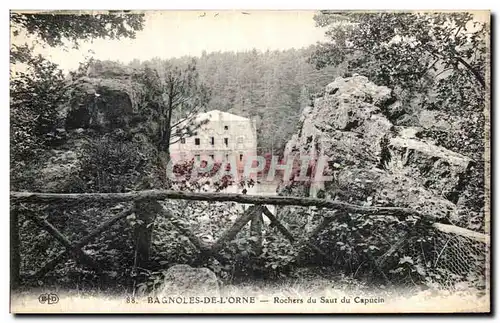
272,87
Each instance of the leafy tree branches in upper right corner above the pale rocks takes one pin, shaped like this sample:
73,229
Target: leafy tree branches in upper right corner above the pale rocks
408,50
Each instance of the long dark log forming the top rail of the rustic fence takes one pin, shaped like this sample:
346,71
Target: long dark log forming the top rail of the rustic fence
43,198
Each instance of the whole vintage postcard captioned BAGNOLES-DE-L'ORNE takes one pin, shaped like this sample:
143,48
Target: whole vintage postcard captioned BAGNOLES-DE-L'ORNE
239,161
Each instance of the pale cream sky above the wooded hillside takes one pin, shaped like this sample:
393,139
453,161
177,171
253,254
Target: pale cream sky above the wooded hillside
168,34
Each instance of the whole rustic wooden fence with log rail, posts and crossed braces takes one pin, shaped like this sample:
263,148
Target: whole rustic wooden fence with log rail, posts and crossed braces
146,207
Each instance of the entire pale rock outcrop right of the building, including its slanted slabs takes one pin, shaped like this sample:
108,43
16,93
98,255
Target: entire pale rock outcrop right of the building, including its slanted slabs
372,161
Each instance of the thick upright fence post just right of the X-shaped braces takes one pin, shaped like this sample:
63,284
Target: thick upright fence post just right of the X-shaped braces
145,213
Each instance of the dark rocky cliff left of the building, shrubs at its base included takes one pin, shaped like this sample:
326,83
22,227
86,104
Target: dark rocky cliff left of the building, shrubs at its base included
101,123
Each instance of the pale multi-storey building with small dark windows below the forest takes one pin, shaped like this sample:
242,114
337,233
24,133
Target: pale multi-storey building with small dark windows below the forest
224,136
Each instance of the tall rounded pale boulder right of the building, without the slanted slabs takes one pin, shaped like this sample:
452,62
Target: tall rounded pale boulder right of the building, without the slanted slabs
345,124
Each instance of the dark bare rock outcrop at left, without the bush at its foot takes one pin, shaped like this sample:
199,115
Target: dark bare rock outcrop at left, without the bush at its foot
102,107
